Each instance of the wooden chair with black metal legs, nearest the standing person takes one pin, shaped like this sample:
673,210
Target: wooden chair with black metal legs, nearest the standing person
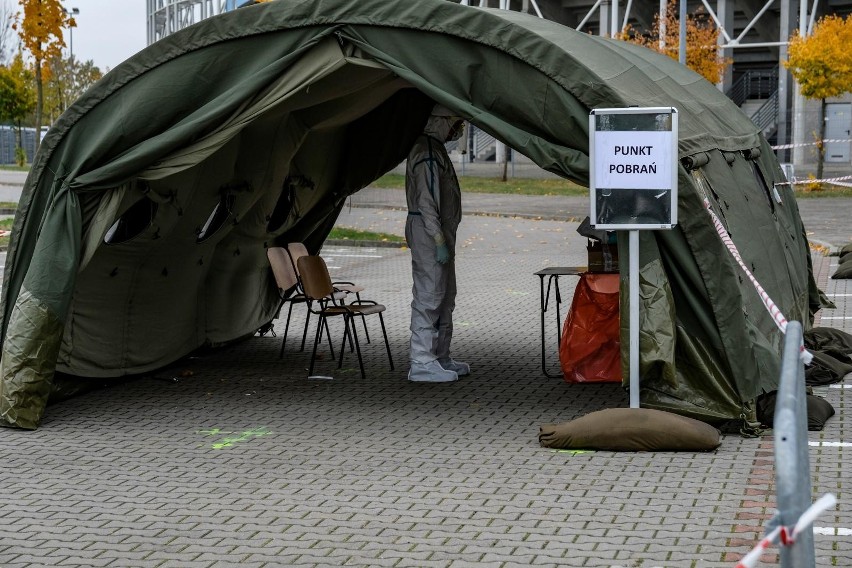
318,287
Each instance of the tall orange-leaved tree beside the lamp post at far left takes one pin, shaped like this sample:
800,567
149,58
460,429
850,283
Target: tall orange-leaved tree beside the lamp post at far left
39,26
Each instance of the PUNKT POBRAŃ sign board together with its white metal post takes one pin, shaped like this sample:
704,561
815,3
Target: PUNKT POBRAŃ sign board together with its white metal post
633,187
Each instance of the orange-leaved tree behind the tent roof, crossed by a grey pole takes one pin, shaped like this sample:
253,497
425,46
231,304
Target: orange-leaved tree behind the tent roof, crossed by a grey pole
702,37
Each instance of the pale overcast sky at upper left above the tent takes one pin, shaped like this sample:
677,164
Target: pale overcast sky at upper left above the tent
108,31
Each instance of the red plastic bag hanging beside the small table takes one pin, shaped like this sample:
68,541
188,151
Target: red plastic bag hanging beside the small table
590,351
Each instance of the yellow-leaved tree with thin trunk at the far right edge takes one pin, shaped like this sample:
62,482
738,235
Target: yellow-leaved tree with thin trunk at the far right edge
822,65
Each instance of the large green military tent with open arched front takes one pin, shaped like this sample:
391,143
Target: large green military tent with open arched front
142,228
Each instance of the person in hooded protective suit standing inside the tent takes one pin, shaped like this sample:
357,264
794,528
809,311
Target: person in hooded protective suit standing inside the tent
434,212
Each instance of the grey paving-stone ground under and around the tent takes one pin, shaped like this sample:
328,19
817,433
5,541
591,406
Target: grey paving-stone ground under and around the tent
236,458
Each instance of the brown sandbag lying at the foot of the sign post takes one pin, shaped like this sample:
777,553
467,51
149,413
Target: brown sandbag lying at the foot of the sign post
631,430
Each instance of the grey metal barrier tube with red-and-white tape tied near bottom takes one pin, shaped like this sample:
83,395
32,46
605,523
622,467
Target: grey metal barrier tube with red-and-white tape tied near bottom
792,466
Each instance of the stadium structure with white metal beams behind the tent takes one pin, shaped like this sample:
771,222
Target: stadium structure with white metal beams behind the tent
753,34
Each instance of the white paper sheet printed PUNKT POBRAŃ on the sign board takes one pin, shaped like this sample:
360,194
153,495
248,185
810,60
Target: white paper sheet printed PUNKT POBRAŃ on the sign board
633,160
